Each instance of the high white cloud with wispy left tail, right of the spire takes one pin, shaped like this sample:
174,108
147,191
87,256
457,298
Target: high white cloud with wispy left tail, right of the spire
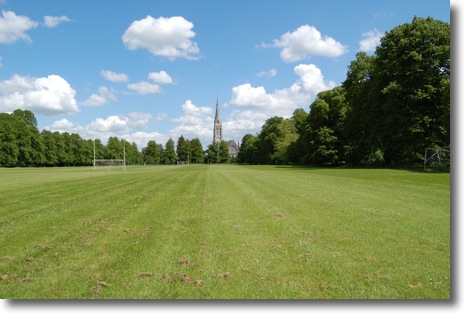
304,42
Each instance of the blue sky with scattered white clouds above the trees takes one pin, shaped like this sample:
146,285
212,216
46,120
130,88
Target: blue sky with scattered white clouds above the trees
153,70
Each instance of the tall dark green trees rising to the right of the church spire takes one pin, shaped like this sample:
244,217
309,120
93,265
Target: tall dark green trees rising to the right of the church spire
391,107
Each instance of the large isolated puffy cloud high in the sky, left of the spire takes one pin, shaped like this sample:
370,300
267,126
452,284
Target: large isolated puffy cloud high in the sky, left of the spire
166,37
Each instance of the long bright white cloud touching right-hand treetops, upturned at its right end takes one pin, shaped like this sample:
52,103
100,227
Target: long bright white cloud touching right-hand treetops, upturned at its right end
282,102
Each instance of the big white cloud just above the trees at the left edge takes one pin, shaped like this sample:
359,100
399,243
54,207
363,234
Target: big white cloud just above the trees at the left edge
50,95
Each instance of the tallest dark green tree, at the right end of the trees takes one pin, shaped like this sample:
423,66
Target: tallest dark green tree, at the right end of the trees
411,68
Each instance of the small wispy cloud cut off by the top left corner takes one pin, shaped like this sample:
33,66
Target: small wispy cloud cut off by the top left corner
14,27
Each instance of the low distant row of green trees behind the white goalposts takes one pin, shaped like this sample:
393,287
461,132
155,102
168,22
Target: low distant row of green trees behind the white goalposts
21,144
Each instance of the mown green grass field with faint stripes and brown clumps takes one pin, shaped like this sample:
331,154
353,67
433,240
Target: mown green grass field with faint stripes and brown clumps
224,231
